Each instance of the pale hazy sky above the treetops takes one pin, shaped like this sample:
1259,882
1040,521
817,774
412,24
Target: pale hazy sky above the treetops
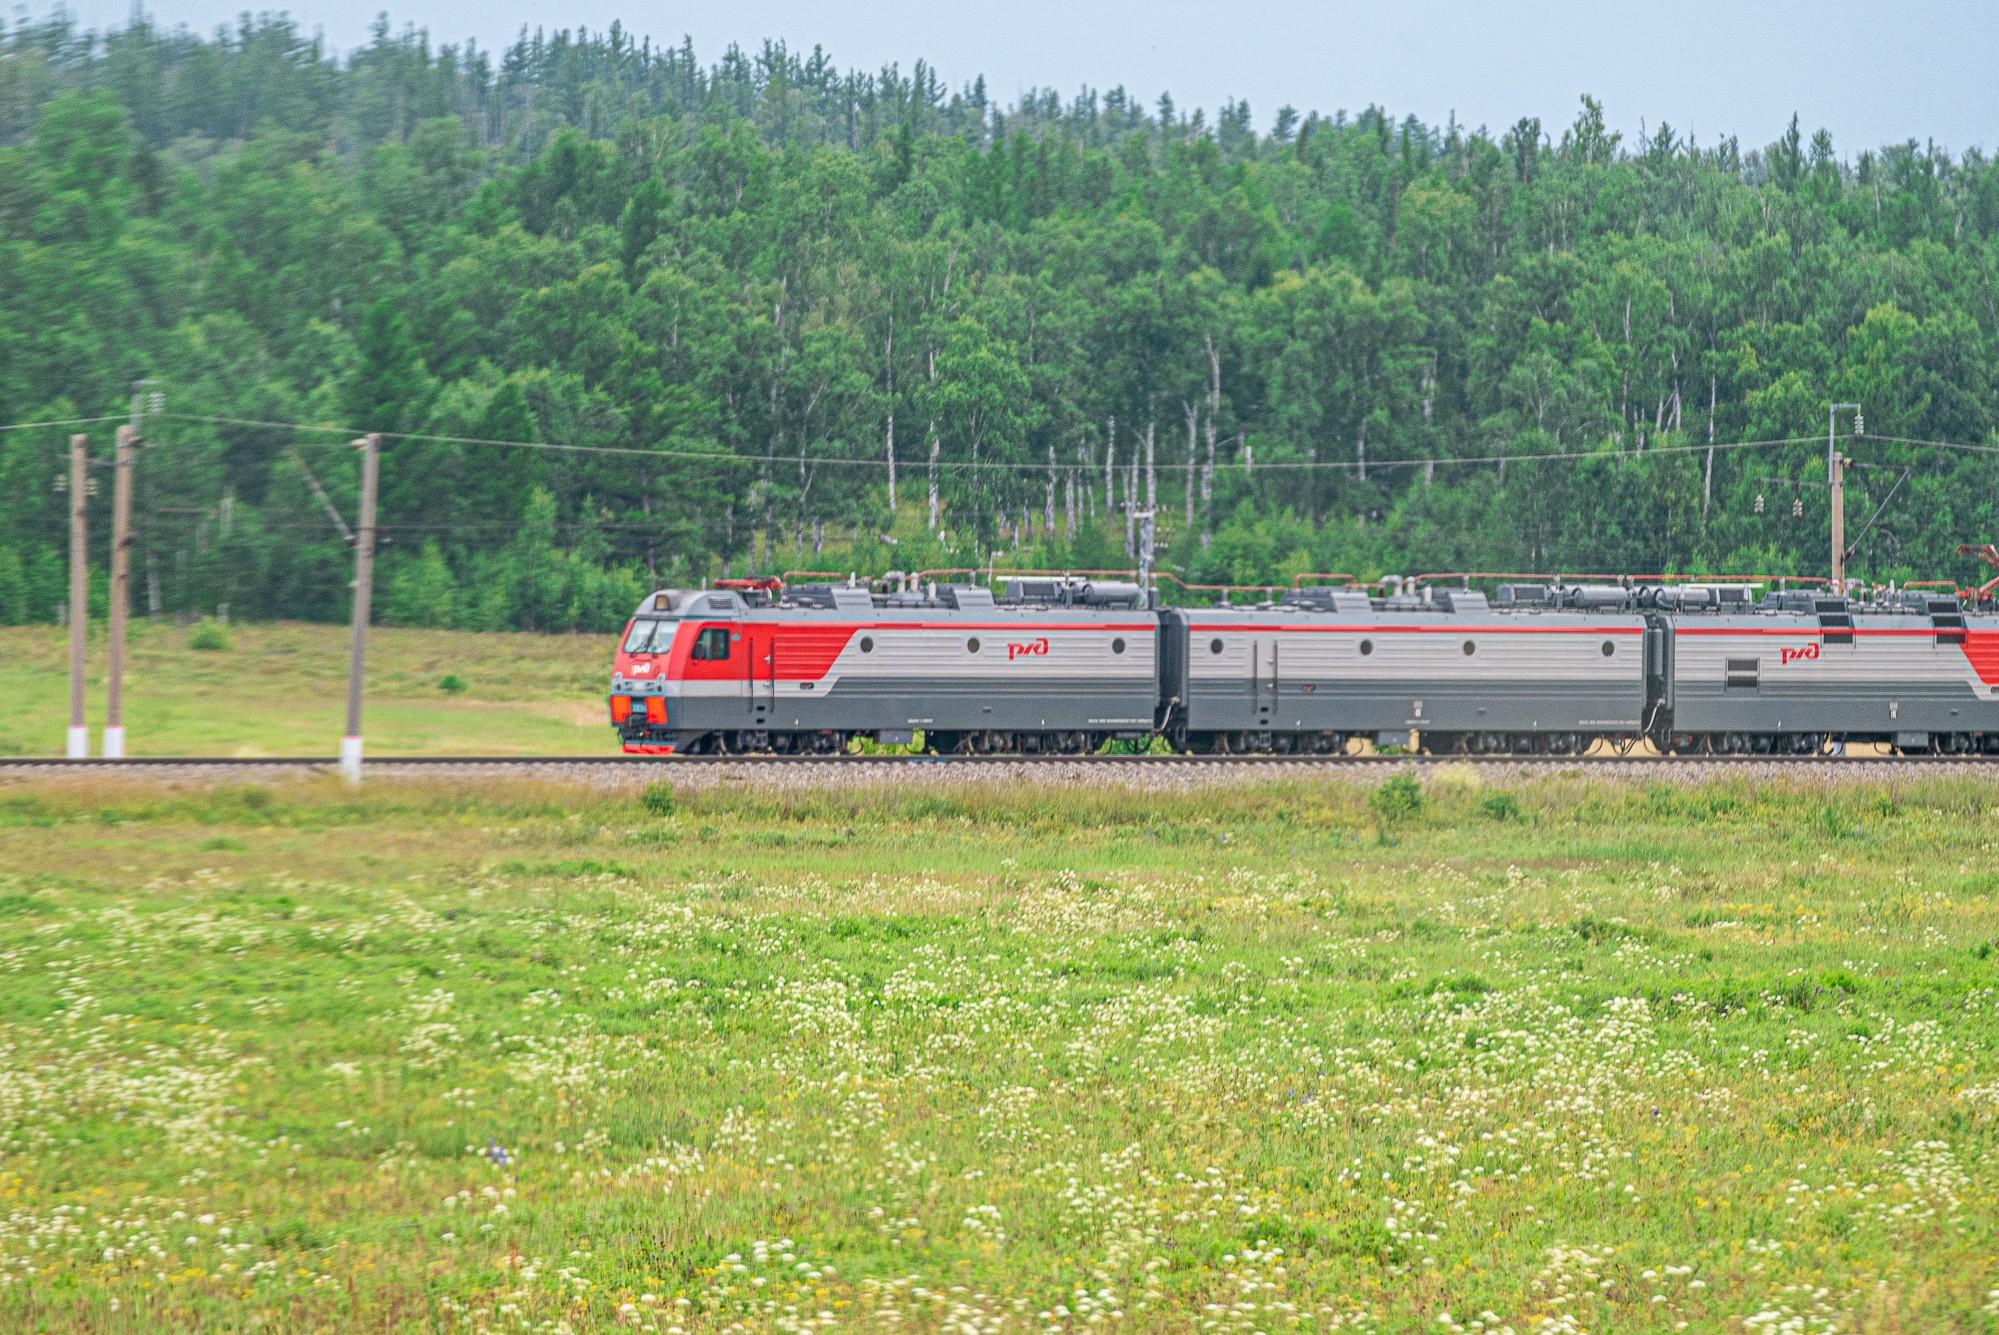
1870,71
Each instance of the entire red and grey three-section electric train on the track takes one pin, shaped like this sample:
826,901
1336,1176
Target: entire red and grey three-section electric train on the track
1062,667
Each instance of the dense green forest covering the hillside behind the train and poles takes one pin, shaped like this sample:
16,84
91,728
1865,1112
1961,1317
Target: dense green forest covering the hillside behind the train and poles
865,321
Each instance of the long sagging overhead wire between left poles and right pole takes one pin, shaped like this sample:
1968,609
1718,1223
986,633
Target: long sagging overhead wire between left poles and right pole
921,465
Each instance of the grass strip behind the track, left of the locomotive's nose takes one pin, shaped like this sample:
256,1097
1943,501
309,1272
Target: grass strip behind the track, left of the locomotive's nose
281,688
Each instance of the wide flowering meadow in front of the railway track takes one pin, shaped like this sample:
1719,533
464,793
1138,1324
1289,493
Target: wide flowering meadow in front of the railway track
1554,1058
